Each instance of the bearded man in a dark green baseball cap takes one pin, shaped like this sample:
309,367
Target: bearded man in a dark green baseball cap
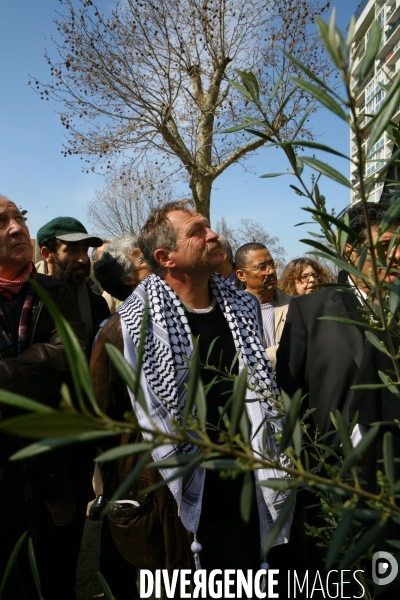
64,244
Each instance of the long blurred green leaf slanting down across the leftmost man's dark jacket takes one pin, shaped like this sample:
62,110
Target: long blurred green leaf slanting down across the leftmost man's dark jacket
77,359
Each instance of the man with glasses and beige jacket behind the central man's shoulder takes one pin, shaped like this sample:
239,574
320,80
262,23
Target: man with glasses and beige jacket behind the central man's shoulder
257,270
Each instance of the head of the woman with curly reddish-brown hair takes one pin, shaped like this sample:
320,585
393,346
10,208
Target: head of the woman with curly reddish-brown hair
302,276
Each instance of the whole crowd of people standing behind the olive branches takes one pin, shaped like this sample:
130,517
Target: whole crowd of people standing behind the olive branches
242,316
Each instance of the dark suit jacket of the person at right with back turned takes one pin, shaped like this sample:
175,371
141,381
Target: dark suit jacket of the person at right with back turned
321,357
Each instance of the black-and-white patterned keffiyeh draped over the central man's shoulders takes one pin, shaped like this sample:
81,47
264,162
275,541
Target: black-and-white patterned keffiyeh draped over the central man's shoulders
168,345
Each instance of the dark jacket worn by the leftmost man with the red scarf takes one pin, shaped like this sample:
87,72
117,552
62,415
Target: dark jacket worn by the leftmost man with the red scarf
63,476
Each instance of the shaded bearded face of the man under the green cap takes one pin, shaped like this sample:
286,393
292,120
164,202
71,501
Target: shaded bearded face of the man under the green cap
70,263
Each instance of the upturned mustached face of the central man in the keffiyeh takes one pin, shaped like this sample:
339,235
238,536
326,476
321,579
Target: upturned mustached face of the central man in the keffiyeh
197,246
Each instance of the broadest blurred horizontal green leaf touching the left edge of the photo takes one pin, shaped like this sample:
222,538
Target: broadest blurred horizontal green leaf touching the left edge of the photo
59,423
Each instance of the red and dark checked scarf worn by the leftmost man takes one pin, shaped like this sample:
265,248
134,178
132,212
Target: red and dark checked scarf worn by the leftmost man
7,349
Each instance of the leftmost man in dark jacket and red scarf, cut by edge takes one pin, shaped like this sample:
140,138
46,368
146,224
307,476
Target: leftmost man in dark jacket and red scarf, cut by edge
46,495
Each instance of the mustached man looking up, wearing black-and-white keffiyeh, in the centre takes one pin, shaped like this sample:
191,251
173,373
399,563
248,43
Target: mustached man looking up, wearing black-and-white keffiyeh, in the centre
187,299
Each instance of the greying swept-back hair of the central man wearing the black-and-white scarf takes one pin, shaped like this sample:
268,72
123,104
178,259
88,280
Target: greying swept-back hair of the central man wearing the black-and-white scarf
158,232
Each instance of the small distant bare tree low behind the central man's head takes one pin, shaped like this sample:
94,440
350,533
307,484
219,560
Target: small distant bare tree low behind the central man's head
123,204
